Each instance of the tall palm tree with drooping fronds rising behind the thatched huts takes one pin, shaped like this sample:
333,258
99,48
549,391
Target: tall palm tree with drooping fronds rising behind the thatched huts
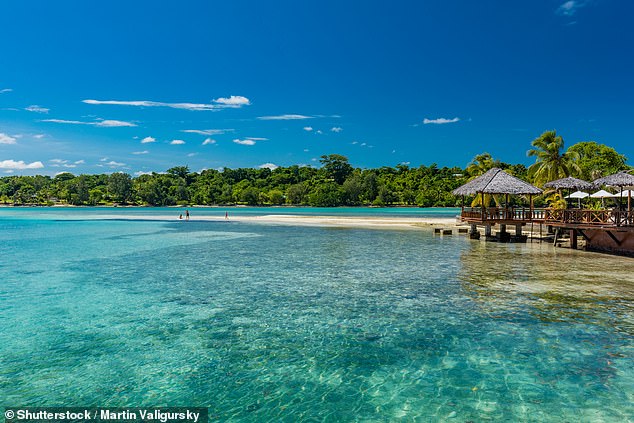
551,163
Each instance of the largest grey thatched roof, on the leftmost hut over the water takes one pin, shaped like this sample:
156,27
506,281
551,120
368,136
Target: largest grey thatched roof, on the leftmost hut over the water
497,181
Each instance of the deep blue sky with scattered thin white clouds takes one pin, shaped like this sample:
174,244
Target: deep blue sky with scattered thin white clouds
142,86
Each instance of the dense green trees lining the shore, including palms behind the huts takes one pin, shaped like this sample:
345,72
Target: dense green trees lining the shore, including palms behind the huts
335,183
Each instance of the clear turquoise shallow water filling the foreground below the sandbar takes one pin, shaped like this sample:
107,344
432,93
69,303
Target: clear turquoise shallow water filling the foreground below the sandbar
283,323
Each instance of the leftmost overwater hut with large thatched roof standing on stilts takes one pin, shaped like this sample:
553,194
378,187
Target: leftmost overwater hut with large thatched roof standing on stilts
497,182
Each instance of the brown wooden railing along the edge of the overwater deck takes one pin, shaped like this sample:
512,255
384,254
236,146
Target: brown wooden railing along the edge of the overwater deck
549,216
